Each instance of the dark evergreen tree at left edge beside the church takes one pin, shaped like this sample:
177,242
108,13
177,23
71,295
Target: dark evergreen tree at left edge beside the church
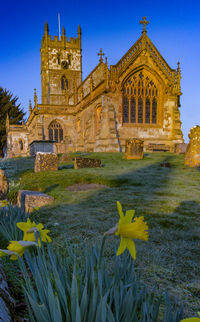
8,105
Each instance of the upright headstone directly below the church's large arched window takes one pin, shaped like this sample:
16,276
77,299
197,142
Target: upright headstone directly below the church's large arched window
134,149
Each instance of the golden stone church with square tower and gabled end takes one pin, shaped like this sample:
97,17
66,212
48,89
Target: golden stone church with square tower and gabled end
138,97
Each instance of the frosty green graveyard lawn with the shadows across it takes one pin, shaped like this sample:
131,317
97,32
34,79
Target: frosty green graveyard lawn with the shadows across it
168,198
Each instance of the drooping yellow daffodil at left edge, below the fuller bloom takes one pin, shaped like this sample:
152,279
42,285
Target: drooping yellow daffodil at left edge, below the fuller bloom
16,248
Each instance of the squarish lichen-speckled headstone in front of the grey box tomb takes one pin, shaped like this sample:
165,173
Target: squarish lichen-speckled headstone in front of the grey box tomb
46,162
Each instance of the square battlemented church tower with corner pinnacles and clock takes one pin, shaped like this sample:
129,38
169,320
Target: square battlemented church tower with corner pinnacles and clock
61,66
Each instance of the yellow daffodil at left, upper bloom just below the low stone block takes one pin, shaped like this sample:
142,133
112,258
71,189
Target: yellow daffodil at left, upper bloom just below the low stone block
29,228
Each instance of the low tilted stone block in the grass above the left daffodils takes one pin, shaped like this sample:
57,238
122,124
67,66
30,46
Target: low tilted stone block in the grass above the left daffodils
30,200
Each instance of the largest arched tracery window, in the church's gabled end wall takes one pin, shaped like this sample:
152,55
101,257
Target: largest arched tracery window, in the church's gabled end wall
140,100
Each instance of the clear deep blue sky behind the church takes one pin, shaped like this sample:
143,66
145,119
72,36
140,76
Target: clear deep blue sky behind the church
174,28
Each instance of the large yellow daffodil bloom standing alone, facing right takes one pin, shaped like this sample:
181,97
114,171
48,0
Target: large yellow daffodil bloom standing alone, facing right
129,230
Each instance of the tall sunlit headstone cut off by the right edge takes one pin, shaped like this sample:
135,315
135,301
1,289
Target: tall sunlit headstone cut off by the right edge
192,155
